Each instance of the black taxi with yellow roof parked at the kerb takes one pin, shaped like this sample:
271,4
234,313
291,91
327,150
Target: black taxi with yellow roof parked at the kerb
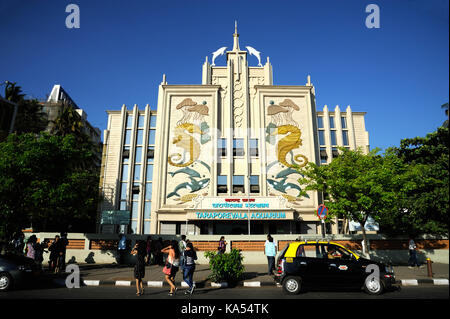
312,264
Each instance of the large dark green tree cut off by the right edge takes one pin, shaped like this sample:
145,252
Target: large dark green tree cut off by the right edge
426,203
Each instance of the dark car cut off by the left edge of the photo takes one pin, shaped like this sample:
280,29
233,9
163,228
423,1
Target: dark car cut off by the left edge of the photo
16,270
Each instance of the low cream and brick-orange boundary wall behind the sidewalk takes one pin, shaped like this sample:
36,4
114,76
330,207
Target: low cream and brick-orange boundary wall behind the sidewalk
102,248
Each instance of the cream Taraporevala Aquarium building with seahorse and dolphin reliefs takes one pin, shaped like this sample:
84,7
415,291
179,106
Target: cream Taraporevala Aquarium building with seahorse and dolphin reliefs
218,157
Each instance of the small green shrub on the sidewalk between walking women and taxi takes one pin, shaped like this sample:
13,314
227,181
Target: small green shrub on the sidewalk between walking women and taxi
226,267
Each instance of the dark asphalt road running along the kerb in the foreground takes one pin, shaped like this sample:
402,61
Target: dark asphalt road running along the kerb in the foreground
238,293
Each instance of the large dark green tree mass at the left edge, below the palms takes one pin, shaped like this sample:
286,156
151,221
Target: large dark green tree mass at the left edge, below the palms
40,186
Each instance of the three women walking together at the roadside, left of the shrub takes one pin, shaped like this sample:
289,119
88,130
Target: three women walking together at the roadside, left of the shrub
179,255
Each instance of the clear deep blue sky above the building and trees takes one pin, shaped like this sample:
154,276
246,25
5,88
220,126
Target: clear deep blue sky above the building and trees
398,73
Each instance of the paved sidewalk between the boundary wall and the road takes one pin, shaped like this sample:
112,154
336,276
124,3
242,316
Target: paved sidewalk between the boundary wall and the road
254,276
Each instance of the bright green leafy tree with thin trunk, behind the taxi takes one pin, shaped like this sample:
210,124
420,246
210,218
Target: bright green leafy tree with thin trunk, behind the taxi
356,185
